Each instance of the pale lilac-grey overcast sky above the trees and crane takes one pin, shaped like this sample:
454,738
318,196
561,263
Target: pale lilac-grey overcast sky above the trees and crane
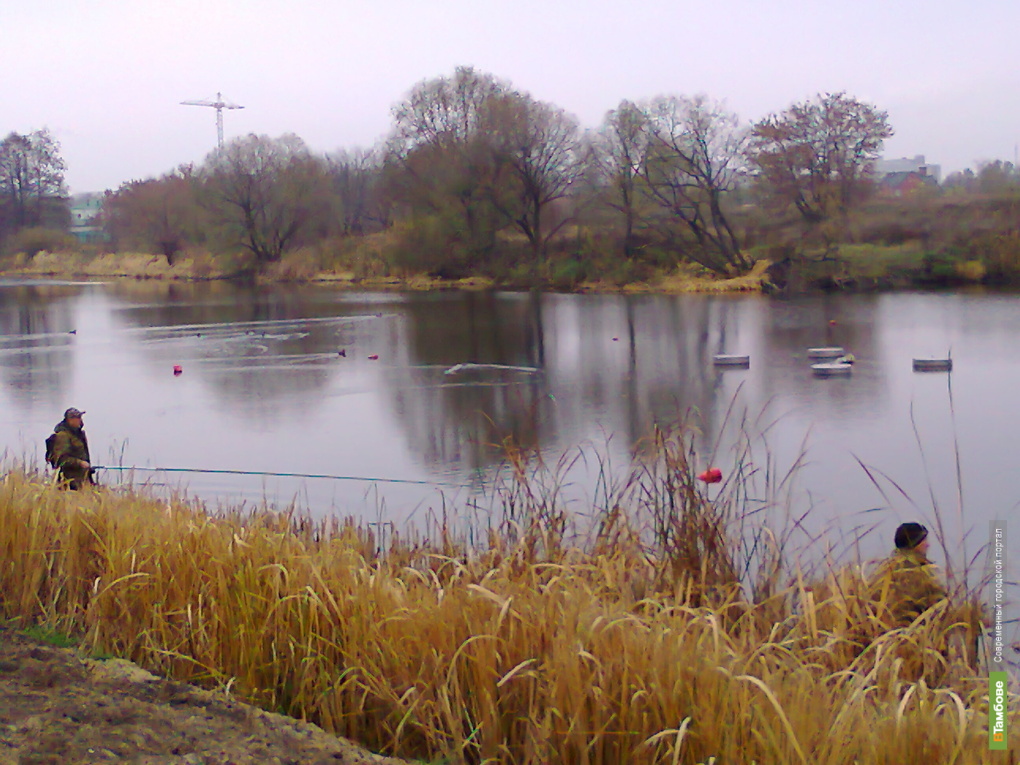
108,77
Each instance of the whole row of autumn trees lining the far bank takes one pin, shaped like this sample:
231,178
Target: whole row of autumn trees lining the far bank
479,178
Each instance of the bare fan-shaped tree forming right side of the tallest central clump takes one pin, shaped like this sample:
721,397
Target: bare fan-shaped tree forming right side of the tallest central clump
540,143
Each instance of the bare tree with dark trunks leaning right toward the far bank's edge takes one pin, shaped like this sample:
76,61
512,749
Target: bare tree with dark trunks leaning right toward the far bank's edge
694,160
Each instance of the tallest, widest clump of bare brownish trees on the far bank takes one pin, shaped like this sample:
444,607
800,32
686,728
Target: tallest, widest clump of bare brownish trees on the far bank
473,157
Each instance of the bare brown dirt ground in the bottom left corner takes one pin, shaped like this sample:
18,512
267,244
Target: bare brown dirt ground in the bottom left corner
58,708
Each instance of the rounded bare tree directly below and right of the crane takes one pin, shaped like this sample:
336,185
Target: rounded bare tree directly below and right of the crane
270,189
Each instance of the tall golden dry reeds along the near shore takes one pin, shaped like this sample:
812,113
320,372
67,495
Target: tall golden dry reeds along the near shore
677,632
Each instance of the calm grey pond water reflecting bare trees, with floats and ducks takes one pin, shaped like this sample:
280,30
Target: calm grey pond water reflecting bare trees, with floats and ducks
316,381
